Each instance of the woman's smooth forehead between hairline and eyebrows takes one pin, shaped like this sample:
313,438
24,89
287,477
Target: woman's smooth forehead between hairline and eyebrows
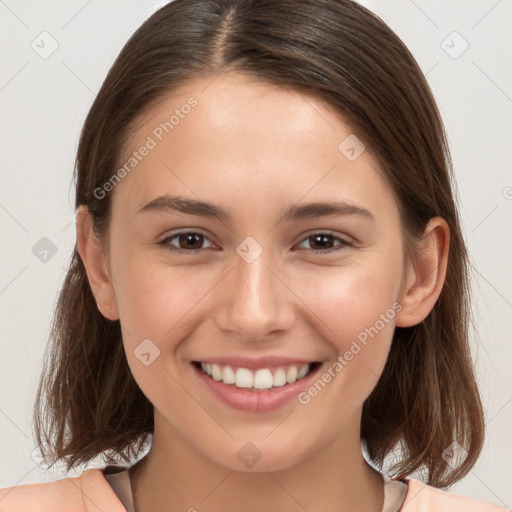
236,136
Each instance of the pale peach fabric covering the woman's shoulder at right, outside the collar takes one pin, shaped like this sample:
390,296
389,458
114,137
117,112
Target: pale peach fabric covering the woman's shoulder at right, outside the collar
425,498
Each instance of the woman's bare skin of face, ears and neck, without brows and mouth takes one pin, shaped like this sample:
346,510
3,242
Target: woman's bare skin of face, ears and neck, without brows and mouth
253,149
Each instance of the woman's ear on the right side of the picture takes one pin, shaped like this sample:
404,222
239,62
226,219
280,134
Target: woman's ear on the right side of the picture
425,277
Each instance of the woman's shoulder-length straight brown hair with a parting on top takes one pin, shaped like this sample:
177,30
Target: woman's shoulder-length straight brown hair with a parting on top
88,403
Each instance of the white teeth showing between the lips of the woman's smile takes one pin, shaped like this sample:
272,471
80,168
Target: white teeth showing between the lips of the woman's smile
263,379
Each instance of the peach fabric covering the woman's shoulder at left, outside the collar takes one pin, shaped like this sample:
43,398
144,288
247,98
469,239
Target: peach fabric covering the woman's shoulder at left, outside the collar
87,492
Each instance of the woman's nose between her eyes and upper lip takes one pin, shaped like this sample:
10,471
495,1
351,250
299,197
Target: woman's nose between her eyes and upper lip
254,301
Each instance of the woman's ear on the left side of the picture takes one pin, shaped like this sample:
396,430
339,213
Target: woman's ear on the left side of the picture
93,256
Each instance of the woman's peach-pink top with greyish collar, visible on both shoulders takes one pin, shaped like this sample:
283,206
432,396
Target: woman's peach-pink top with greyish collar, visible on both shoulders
93,491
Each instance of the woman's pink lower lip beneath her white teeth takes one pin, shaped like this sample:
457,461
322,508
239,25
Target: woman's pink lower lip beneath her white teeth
255,401
